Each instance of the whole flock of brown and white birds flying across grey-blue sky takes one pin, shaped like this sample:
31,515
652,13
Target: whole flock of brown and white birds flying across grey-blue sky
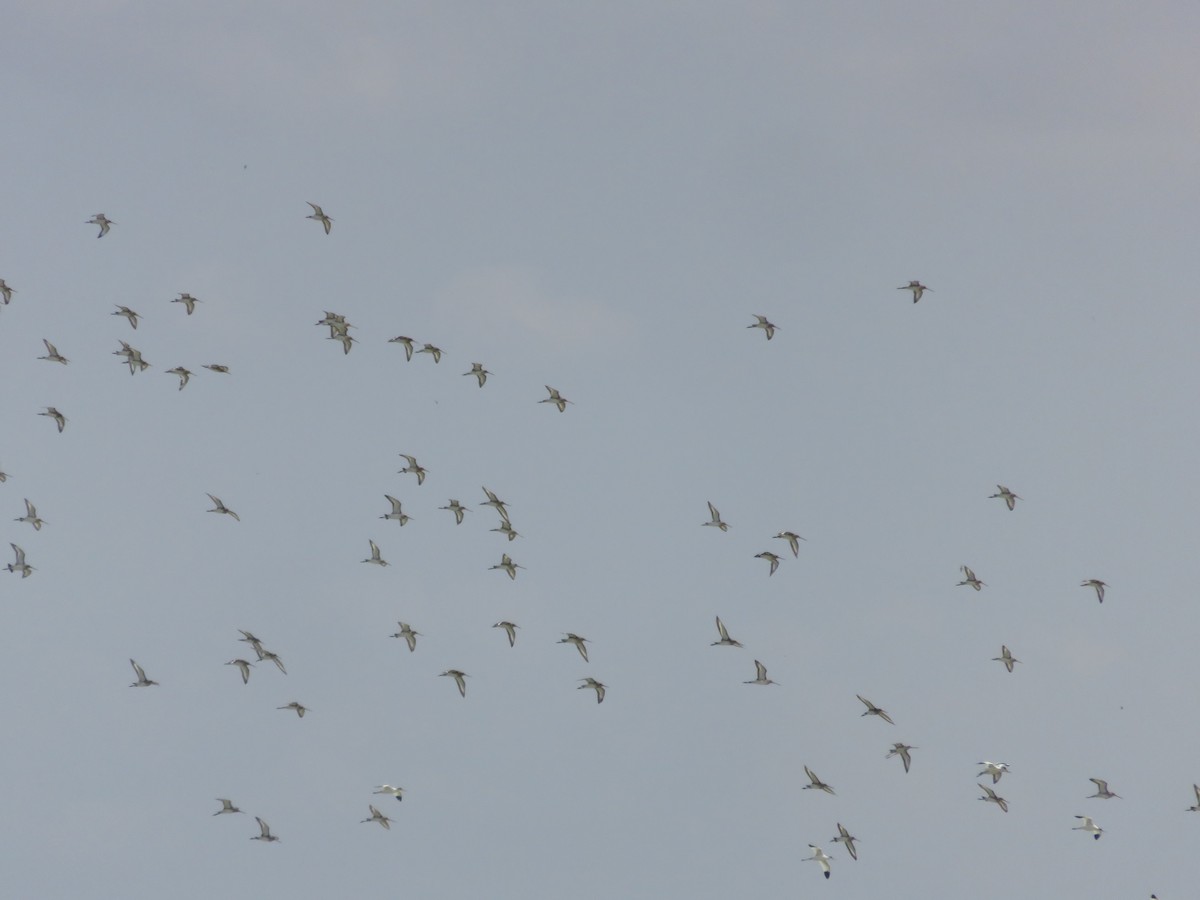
340,331
